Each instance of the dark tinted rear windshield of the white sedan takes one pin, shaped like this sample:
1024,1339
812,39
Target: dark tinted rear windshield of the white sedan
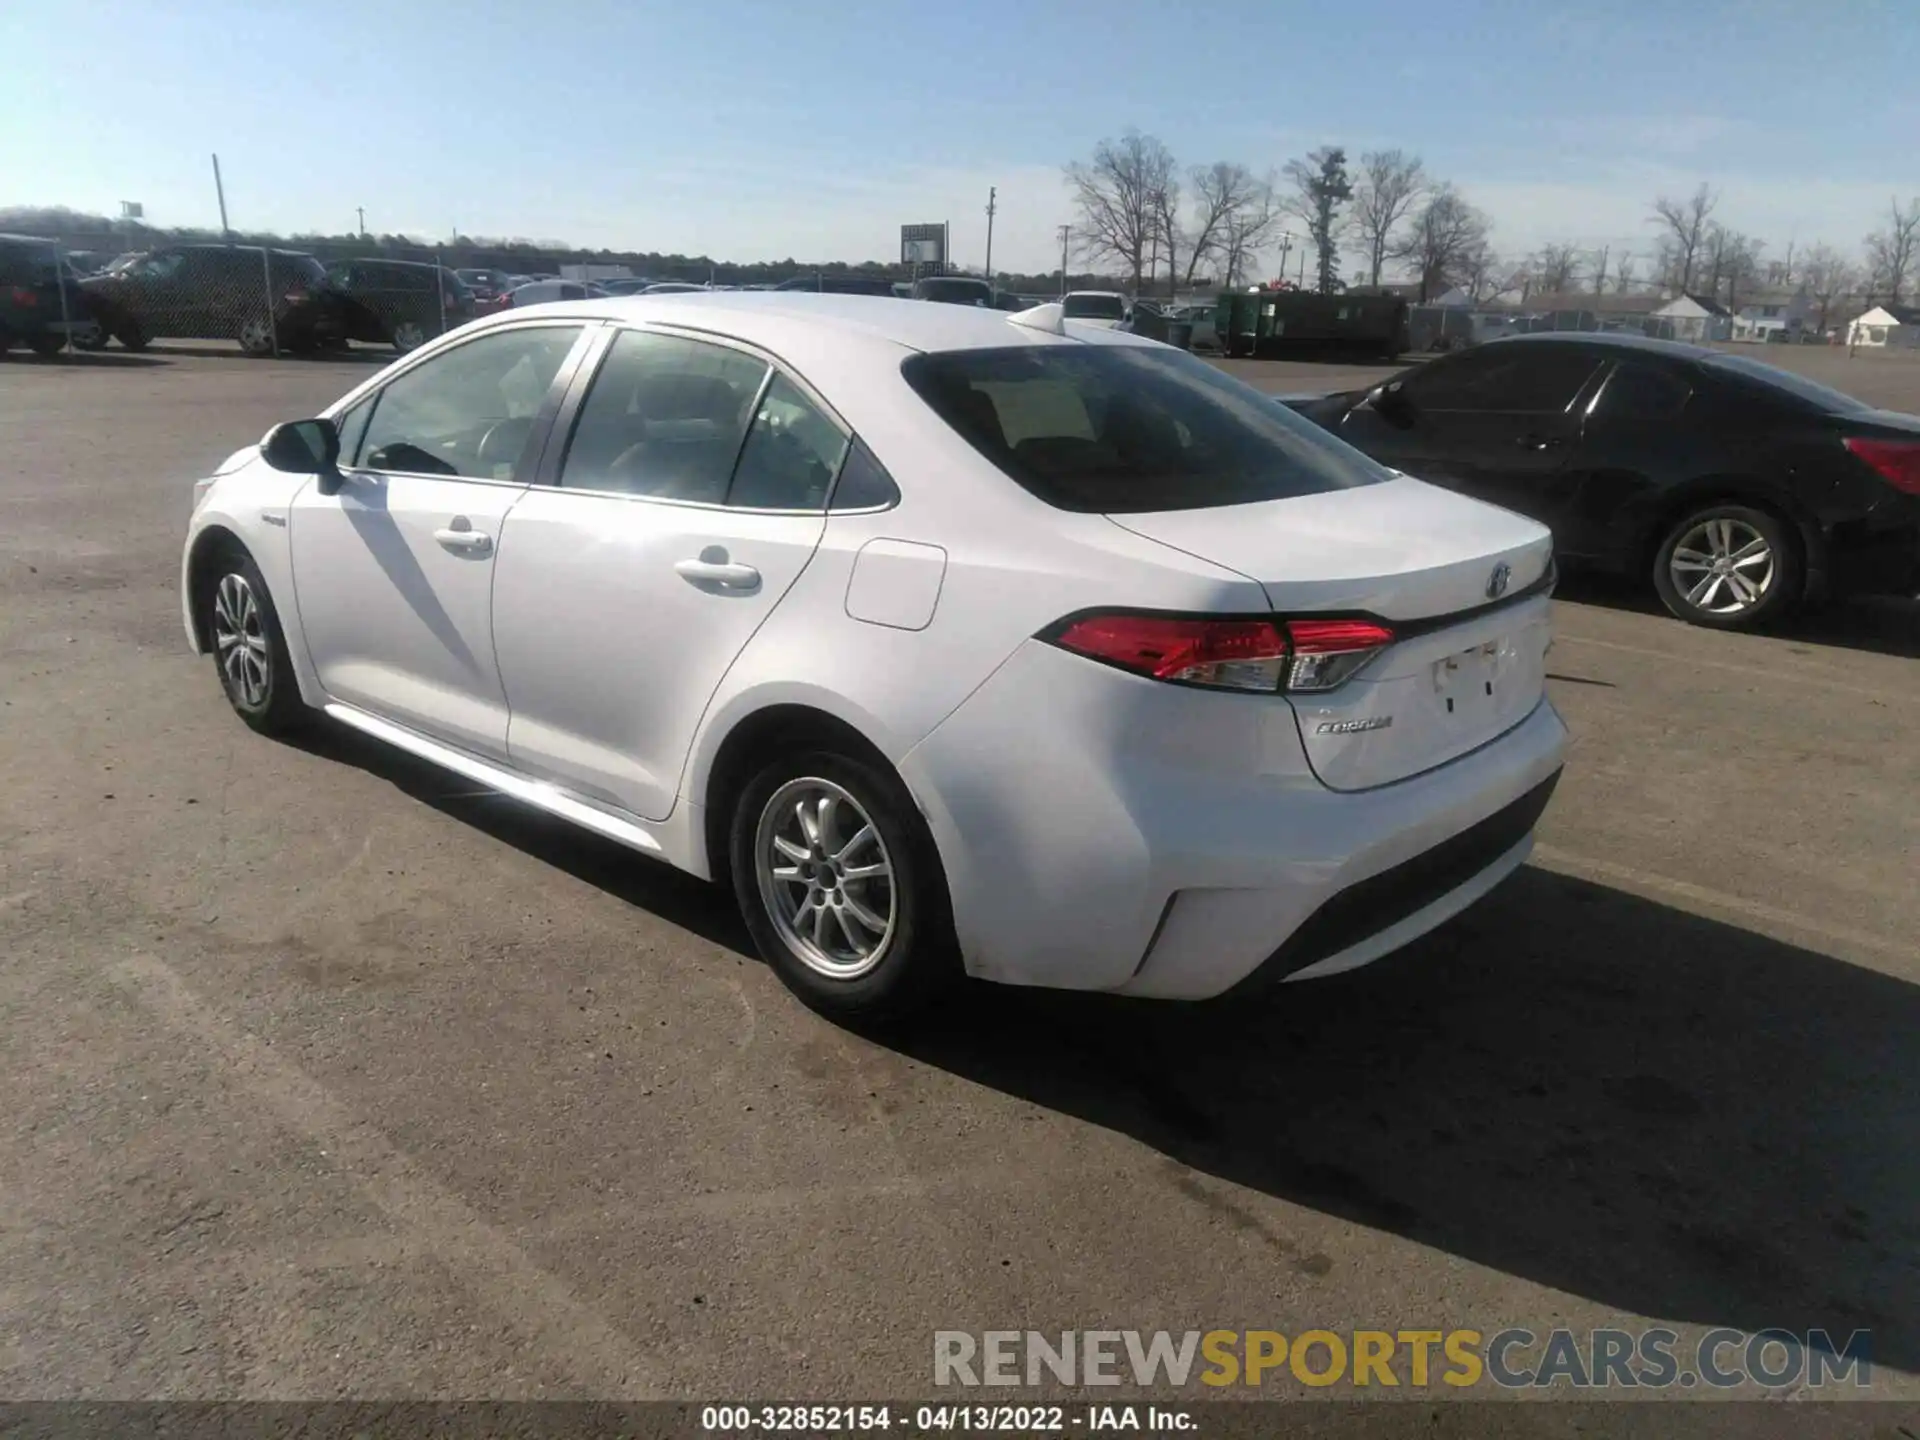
1132,429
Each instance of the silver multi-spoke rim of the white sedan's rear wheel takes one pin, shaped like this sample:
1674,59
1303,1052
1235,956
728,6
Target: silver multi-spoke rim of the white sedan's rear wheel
827,878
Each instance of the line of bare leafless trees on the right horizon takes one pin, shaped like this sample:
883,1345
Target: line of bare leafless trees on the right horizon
1141,214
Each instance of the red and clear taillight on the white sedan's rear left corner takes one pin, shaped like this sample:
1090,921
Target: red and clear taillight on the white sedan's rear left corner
1228,652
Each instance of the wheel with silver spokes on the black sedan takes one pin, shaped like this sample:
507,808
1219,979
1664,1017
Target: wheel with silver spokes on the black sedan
1731,567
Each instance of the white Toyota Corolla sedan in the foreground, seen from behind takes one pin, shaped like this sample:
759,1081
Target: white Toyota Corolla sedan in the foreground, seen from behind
955,642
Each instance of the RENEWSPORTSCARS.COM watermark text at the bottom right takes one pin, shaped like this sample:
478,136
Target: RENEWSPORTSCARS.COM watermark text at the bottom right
1514,1358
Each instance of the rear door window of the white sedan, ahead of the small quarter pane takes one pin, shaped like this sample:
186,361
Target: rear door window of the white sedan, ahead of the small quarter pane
665,418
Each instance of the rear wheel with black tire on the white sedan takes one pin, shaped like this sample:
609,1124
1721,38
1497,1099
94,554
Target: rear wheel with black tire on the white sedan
842,890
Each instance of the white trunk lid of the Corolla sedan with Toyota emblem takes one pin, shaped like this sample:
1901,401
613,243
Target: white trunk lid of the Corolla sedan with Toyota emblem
1447,573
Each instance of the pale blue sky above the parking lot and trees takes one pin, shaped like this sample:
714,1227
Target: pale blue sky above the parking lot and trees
754,130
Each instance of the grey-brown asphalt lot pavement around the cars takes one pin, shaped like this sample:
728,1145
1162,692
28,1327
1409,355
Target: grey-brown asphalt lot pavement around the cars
327,1076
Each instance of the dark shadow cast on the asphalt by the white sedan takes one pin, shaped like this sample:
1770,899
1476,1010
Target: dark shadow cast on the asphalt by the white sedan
1570,1084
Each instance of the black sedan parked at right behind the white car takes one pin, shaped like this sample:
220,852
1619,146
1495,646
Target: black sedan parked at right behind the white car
1739,489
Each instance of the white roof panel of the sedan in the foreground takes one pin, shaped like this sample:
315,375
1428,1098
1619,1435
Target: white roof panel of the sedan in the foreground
775,318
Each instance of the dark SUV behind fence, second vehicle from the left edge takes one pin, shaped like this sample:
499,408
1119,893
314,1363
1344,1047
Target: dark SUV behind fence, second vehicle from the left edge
220,293
